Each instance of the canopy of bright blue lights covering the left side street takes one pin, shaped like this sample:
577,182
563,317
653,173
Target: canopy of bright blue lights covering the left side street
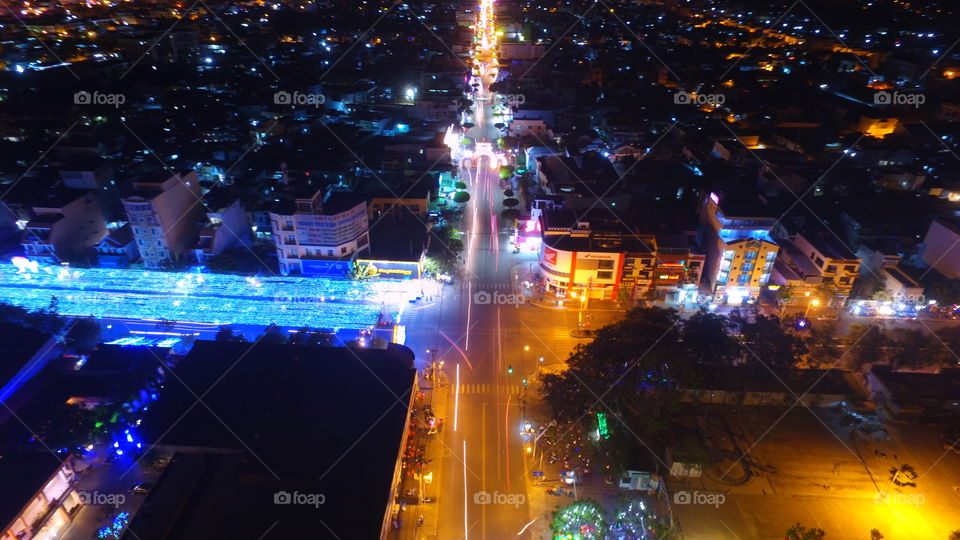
208,298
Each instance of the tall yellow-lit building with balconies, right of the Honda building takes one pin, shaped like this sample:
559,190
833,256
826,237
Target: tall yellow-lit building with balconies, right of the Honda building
739,250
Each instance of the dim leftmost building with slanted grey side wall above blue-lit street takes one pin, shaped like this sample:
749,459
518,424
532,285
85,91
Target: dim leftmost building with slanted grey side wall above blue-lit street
65,226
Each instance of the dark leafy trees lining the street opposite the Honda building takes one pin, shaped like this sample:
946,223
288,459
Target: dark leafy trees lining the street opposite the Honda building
637,367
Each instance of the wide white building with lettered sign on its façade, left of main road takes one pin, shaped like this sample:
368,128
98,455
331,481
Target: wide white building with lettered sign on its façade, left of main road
309,231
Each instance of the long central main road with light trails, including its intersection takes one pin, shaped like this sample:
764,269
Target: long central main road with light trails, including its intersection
488,346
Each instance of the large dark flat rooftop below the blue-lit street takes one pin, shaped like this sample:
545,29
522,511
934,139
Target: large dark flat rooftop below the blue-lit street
307,419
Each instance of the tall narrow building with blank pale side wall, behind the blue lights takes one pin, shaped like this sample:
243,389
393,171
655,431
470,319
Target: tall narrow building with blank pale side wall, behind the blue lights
164,213
